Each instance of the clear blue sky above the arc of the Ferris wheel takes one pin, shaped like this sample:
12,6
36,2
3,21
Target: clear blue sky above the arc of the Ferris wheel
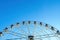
12,11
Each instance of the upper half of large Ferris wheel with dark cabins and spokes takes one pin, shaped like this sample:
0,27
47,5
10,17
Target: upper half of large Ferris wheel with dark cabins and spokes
30,30
